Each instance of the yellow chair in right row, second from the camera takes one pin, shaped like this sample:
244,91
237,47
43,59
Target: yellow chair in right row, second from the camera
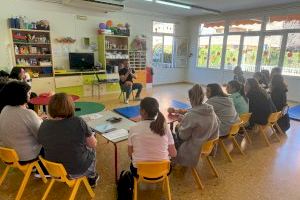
233,131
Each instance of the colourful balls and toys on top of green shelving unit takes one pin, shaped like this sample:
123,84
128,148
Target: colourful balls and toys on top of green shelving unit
108,29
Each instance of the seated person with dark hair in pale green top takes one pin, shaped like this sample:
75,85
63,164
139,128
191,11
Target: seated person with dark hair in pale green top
237,94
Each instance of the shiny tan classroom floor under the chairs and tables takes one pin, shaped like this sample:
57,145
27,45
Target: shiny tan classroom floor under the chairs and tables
264,173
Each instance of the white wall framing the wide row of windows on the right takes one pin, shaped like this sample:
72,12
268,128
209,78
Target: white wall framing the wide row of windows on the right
205,76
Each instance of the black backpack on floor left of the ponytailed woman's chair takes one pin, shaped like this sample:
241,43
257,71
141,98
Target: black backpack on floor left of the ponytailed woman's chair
125,186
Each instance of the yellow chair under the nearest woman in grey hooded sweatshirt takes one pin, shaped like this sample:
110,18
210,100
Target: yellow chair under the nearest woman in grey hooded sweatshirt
205,151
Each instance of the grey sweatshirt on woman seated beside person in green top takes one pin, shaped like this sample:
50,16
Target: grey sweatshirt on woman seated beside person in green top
225,110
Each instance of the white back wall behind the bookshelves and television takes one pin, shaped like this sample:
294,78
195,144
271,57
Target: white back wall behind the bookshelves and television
63,23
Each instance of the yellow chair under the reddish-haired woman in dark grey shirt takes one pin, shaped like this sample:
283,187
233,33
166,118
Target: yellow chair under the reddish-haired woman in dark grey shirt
58,173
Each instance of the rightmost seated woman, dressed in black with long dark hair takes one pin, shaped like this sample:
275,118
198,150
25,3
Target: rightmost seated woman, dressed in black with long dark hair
278,90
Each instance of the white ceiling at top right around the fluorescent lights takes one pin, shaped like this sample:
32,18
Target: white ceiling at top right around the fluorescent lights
221,5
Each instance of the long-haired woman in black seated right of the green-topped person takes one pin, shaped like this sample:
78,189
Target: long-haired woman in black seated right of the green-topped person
260,104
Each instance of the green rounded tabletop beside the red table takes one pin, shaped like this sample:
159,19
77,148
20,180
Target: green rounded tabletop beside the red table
88,108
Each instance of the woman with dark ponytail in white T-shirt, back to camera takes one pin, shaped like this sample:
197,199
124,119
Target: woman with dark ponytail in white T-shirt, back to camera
150,139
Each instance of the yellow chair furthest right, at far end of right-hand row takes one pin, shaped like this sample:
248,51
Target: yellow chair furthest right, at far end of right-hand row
272,121
